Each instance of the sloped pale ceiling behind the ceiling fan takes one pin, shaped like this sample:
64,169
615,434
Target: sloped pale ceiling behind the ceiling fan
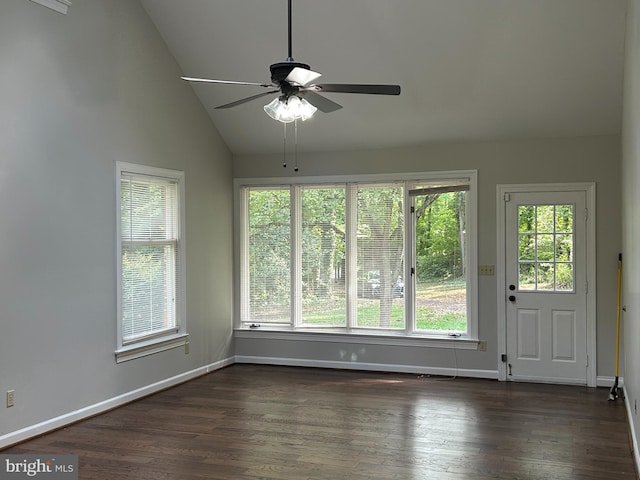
470,70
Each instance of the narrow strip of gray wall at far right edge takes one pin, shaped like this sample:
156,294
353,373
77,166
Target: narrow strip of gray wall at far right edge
631,218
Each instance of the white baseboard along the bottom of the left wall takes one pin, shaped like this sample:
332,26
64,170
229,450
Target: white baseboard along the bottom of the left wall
100,407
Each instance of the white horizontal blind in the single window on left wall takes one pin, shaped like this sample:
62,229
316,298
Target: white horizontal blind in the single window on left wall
149,242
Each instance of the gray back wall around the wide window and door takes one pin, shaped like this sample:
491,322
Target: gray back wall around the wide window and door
585,159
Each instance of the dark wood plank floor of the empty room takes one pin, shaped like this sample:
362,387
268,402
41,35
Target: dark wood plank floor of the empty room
250,422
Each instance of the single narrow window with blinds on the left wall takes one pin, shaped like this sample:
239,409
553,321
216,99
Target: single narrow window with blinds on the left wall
150,259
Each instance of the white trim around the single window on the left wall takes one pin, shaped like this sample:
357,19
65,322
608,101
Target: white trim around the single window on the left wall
174,339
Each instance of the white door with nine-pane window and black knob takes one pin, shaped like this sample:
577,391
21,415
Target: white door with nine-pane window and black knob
546,286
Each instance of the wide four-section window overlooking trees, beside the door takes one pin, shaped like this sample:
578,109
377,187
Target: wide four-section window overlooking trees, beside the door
375,255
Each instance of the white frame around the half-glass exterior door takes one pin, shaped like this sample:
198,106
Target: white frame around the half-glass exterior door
590,192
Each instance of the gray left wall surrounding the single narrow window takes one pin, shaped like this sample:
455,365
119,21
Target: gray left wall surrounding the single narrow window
78,93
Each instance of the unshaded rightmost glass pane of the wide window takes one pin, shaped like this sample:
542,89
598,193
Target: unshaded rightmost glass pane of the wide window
441,287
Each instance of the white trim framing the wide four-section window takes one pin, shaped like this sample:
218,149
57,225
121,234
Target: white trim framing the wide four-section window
403,338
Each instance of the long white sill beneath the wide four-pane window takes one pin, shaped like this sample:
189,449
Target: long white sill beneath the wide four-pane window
458,343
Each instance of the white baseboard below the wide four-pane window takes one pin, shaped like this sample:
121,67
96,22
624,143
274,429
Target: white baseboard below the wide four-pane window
377,367
